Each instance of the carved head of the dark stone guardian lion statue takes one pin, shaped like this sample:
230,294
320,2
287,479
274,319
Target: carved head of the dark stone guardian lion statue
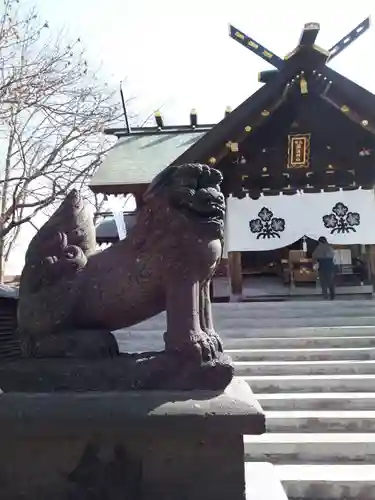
192,191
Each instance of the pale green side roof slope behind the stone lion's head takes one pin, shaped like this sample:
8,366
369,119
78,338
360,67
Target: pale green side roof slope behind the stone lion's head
137,159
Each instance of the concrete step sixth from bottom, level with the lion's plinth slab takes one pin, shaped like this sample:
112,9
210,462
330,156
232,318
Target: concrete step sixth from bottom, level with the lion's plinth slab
327,368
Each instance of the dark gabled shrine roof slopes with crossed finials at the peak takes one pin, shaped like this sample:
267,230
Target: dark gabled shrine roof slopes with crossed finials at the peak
304,67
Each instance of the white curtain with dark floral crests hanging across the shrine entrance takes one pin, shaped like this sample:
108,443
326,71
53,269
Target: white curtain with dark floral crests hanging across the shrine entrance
344,217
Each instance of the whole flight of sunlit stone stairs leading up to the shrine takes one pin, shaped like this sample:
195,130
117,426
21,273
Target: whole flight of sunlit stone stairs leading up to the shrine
311,365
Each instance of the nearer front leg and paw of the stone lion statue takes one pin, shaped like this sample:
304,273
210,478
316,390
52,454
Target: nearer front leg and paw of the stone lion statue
184,334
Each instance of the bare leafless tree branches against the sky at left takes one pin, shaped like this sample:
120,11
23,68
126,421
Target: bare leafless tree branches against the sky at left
53,109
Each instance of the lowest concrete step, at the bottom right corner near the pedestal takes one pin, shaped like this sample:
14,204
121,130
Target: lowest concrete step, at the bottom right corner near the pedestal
327,481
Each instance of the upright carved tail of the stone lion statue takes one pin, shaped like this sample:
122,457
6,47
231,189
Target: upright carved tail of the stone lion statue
56,254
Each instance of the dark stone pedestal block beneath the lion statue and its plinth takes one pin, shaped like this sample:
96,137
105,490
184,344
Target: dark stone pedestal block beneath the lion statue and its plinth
148,445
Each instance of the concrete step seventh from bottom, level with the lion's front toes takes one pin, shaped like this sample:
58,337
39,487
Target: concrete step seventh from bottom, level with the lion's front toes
318,354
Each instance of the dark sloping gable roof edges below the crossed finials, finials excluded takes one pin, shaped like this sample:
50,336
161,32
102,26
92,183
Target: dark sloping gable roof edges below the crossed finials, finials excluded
356,104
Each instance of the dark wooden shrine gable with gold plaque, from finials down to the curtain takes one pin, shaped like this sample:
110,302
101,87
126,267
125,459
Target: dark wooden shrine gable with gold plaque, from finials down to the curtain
308,128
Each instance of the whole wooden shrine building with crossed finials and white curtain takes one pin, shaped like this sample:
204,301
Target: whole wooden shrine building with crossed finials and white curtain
298,160
